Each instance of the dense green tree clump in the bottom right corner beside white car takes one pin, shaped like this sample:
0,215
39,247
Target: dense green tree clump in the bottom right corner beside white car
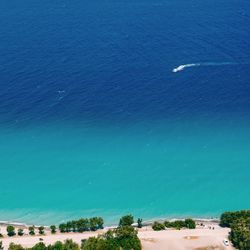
239,222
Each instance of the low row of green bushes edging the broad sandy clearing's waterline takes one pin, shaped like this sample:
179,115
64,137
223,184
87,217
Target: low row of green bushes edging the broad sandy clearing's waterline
177,224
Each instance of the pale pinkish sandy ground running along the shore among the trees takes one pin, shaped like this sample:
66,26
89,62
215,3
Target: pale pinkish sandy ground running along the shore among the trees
201,238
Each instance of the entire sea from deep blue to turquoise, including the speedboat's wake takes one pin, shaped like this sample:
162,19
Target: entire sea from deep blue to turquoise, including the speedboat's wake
115,107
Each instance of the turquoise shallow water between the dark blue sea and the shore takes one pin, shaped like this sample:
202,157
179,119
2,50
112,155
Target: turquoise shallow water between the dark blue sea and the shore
160,169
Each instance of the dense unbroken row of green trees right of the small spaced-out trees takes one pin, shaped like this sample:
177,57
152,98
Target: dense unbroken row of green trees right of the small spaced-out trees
82,225
